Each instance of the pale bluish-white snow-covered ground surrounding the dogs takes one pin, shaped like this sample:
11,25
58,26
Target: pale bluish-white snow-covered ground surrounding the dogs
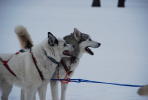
121,58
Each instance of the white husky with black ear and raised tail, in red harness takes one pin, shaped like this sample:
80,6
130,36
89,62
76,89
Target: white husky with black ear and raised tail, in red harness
33,69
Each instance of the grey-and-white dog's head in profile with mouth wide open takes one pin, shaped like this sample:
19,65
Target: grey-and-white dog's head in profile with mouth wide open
81,40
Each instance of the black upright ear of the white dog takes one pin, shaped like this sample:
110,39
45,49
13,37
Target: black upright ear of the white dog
52,40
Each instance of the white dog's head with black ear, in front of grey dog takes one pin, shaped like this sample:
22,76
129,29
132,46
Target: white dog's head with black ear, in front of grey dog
60,46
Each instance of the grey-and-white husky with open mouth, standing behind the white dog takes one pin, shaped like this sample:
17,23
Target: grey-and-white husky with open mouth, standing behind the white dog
81,43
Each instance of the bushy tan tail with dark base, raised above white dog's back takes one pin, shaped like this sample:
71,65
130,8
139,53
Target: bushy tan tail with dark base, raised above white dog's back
24,37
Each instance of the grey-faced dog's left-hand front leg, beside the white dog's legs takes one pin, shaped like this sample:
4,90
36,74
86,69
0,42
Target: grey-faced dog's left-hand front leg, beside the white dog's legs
54,90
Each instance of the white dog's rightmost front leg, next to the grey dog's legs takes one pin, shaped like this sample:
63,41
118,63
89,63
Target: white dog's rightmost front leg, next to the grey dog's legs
42,91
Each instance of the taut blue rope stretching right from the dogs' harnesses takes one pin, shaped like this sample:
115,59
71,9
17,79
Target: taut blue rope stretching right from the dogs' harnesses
89,81
